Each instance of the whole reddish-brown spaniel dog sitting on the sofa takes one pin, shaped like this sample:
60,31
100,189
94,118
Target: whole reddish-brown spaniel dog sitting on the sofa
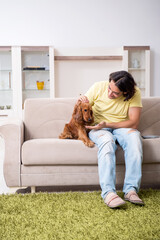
75,129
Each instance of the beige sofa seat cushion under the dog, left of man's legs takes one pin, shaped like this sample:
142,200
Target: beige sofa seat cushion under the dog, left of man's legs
57,152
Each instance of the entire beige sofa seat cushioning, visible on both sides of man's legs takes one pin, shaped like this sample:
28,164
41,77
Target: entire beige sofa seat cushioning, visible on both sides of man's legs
74,152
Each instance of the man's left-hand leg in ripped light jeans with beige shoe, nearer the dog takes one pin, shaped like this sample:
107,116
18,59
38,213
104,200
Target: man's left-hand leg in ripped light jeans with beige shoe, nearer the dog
106,165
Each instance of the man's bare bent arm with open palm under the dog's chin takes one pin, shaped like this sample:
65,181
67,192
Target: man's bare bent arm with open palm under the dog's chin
132,122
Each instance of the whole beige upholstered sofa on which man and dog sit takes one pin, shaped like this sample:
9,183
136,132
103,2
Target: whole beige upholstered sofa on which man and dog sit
34,156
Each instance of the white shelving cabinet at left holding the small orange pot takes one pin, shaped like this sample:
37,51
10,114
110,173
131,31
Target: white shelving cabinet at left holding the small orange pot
20,69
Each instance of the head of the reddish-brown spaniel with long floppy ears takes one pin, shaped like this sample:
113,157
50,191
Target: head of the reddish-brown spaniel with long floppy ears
83,113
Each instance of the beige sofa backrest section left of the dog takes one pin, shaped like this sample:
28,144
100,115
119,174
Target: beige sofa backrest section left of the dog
45,118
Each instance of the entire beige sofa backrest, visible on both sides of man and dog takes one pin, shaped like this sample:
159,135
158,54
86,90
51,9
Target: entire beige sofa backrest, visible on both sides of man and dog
45,118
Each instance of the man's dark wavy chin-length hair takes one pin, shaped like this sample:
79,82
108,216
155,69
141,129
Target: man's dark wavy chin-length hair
125,82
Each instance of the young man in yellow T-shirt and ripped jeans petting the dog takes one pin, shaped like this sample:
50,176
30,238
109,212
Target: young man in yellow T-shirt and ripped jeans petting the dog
117,106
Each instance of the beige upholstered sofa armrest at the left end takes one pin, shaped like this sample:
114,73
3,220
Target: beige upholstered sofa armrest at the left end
12,131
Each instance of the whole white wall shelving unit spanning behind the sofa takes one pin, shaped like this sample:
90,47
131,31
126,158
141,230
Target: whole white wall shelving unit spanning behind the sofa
73,70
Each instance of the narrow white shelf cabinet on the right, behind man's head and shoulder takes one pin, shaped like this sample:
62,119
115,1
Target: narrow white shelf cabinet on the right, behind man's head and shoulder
136,60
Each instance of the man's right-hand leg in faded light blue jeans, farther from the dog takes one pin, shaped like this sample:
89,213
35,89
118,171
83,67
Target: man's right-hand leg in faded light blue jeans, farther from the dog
130,140
